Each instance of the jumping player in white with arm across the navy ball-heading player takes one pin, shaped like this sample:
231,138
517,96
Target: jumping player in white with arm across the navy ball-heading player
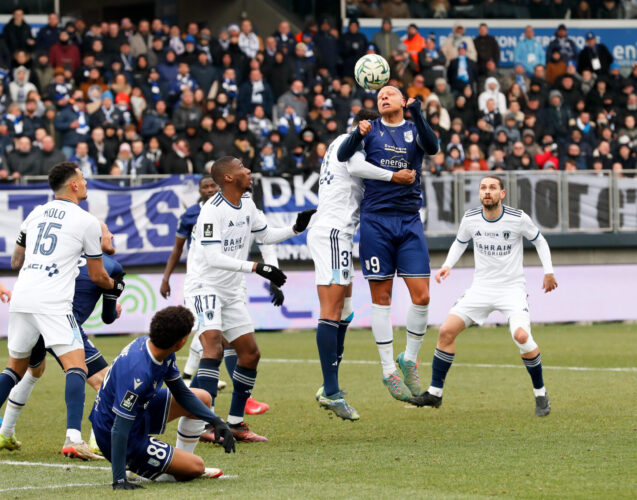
330,240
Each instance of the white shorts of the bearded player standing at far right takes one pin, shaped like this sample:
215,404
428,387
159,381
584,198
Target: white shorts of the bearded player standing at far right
477,303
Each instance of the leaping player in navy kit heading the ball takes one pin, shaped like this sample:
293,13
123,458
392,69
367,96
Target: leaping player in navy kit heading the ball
392,235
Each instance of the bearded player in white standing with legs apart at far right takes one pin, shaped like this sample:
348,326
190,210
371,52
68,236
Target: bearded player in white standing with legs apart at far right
498,285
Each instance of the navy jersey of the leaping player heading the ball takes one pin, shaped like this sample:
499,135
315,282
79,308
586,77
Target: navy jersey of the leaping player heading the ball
392,147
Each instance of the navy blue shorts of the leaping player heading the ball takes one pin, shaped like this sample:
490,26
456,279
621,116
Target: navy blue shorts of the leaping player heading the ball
391,244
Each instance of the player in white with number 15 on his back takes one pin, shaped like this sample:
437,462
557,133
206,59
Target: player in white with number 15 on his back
59,232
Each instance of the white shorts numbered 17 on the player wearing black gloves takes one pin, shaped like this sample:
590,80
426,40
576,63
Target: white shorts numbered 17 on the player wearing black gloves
212,312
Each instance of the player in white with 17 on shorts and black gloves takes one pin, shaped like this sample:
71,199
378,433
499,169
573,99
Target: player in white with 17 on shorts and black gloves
215,287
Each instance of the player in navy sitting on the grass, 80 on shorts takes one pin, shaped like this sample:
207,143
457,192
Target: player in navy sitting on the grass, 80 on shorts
131,405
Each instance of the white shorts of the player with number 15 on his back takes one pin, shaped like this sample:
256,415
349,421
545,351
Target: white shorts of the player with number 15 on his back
59,331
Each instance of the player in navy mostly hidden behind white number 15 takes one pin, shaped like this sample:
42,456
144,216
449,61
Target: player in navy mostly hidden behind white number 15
87,295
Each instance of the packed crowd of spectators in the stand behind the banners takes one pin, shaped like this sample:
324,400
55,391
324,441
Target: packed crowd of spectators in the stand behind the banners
125,99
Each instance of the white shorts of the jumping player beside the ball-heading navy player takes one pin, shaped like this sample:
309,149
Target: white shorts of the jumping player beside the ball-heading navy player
331,251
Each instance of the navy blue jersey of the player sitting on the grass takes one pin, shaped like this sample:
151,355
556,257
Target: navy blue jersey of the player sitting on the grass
131,382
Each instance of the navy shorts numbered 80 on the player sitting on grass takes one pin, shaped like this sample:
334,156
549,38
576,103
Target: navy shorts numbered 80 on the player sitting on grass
146,455
